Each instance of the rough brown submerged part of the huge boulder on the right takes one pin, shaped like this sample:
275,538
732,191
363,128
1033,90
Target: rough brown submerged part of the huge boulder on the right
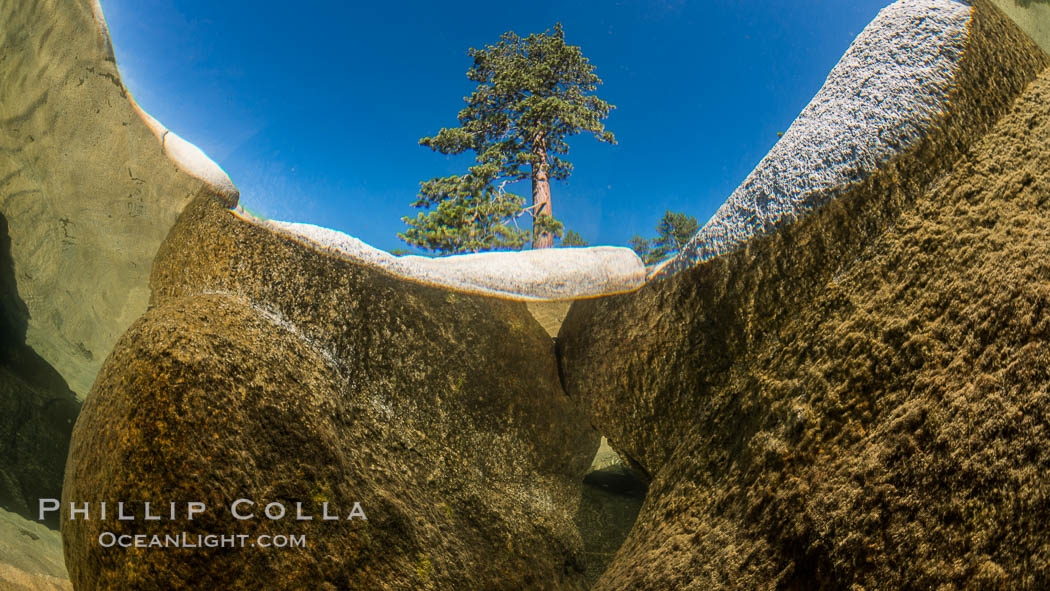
858,400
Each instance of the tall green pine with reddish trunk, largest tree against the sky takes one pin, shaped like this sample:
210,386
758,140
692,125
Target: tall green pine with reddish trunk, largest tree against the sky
533,94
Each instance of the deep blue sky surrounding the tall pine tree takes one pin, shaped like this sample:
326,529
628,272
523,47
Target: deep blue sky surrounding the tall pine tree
316,109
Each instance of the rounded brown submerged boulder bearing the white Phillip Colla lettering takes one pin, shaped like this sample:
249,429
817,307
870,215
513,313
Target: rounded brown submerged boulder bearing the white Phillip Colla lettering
271,371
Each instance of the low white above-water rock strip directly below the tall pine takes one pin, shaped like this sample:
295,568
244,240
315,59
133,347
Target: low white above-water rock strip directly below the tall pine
541,275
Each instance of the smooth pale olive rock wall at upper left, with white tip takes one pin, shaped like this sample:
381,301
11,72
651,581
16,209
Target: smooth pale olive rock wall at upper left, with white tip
90,185
